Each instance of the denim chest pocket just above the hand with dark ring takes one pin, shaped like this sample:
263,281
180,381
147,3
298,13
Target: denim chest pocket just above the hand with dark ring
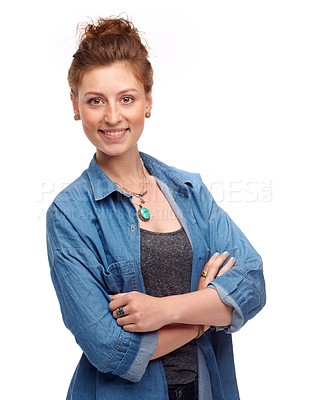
120,277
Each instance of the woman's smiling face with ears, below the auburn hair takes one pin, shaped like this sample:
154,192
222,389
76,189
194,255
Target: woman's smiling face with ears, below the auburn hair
112,104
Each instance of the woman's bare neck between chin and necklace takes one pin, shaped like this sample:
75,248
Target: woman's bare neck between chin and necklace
125,169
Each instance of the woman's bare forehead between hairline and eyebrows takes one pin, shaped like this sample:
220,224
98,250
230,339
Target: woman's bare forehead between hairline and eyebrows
112,78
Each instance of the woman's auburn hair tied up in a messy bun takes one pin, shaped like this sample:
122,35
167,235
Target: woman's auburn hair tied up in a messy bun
108,41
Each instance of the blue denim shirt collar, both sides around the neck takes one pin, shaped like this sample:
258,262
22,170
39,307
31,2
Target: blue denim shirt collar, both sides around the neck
103,186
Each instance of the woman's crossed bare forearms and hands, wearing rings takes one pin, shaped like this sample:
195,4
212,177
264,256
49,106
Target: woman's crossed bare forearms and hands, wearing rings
176,317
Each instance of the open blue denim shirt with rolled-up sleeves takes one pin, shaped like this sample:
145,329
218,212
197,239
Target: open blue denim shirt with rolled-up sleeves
93,242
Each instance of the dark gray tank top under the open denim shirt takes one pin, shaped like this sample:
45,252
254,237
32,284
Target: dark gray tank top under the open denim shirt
166,264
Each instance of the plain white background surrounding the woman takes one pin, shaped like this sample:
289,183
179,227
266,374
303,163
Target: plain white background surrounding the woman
230,101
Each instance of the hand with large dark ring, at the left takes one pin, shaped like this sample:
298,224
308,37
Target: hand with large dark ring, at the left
143,313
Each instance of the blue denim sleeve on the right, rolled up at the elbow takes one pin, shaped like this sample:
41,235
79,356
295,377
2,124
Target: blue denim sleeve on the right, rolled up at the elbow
242,287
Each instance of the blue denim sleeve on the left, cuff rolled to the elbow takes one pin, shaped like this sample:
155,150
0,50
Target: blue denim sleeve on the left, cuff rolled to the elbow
84,303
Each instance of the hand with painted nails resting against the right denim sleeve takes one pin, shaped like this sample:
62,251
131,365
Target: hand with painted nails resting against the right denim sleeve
212,267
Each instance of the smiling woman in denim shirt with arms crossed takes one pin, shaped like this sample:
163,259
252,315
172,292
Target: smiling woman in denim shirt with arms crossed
131,225
